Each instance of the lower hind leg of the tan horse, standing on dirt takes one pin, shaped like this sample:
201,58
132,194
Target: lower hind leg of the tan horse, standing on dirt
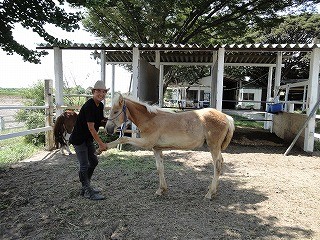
217,168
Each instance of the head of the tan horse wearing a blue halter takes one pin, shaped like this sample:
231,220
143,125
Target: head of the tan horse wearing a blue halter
117,115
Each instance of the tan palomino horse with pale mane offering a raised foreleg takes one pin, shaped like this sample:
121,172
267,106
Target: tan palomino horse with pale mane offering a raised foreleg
164,130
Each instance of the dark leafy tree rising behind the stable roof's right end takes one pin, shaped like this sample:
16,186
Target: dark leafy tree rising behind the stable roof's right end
301,28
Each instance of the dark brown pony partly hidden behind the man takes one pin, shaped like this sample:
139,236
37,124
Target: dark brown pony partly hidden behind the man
62,130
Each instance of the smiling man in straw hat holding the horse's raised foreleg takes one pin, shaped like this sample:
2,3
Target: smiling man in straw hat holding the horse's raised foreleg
84,132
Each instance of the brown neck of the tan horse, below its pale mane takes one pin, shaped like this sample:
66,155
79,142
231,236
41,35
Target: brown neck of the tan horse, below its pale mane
137,113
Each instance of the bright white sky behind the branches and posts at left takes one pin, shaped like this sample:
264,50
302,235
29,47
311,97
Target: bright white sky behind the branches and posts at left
78,67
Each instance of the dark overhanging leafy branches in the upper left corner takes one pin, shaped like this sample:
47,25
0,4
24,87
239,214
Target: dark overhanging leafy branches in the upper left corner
33,14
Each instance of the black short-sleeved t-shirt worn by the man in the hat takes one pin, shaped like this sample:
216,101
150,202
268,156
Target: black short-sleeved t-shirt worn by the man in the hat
89,112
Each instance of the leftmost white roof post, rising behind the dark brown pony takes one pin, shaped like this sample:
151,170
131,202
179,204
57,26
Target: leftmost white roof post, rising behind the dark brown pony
58,79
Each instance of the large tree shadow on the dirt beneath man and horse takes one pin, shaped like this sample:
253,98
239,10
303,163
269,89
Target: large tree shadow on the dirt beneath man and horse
40,200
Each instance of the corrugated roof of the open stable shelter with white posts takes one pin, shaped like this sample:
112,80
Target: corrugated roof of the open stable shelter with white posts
190,53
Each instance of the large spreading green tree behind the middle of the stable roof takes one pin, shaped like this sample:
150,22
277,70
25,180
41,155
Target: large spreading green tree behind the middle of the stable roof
184,21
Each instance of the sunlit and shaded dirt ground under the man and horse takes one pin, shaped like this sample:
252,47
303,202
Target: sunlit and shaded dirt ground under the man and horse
262,195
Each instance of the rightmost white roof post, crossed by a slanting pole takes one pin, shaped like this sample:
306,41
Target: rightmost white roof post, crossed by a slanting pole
312,99
